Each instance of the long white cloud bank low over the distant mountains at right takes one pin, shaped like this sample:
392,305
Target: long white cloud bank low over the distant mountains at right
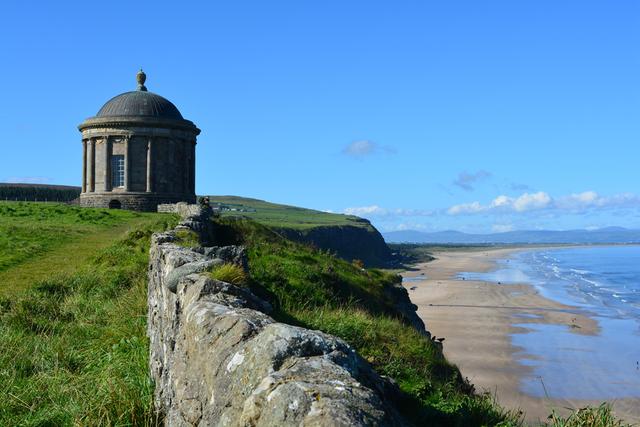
528,202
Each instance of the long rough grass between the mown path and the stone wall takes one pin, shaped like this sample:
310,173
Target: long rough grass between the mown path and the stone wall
74,346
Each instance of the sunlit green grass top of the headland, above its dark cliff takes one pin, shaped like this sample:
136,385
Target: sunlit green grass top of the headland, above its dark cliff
282,216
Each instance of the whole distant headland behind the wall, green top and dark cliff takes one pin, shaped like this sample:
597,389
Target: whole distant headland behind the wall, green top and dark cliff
348,236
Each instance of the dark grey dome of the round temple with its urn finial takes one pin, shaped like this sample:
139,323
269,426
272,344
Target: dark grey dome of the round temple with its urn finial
140,103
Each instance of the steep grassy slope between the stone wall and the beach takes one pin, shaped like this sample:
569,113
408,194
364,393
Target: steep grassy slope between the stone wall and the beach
314,289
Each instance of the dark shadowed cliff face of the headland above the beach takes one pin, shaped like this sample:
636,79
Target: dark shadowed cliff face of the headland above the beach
346,241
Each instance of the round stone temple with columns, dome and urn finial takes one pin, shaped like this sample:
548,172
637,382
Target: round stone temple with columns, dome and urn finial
138,152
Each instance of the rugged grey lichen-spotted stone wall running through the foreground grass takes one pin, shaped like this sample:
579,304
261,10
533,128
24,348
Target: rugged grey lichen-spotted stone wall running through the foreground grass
218,358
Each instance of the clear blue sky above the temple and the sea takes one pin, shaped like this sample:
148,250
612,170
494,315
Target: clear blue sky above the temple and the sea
466,115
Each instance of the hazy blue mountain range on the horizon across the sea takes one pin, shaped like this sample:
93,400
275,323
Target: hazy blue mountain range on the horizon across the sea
602,235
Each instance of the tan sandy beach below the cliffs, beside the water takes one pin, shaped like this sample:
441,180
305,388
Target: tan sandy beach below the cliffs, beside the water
476,319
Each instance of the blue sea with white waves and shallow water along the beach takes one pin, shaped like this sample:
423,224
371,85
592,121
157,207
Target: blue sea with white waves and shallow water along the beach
603,282
